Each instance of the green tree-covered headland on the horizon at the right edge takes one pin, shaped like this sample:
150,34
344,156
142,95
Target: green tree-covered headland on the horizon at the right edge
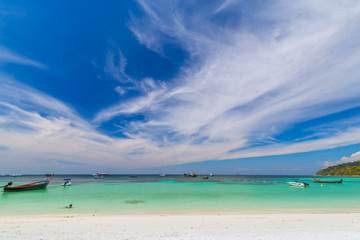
345,169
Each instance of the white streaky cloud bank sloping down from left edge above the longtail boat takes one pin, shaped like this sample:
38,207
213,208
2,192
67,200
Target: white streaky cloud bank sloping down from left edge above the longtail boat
37,126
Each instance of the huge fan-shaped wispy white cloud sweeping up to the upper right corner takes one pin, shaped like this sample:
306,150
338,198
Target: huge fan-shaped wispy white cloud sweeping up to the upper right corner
251,79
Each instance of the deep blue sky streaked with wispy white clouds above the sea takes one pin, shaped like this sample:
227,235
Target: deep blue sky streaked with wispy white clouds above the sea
230,86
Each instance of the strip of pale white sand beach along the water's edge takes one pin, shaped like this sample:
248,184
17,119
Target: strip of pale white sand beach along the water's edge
184,226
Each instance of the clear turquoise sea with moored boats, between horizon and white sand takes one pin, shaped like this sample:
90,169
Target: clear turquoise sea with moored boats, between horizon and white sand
120,194
